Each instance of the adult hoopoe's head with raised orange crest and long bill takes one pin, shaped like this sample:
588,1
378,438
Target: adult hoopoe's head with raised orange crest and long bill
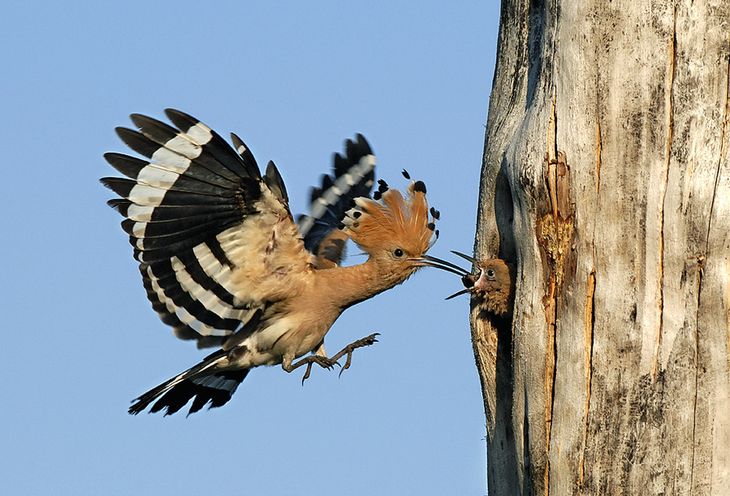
395,230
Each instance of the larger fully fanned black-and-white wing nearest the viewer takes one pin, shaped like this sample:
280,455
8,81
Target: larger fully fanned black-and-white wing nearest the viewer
213,237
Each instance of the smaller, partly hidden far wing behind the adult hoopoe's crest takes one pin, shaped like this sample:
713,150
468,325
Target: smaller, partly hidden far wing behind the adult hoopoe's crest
352,177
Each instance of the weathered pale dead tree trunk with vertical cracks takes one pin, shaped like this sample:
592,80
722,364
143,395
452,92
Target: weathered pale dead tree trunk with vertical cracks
606,179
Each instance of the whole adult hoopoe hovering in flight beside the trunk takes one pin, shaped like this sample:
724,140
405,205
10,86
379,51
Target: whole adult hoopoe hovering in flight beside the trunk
224,263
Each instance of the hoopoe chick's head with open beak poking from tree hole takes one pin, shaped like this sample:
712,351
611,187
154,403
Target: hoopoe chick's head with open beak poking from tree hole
492,287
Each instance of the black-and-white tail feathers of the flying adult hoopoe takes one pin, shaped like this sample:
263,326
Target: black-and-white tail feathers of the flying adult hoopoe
199,383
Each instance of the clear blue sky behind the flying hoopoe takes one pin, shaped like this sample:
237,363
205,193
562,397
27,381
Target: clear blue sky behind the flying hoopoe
293,79
